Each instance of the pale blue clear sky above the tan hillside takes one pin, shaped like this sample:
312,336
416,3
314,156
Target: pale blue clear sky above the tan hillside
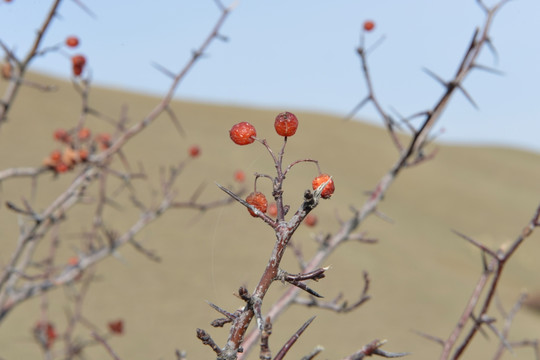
301,55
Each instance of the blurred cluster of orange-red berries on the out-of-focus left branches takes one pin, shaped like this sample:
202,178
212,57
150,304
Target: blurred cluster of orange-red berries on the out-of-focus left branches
74,152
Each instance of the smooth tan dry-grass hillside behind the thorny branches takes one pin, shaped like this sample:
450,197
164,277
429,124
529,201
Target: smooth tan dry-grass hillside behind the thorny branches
422,274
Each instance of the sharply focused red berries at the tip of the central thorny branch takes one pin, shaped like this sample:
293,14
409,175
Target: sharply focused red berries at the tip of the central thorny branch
285,125
